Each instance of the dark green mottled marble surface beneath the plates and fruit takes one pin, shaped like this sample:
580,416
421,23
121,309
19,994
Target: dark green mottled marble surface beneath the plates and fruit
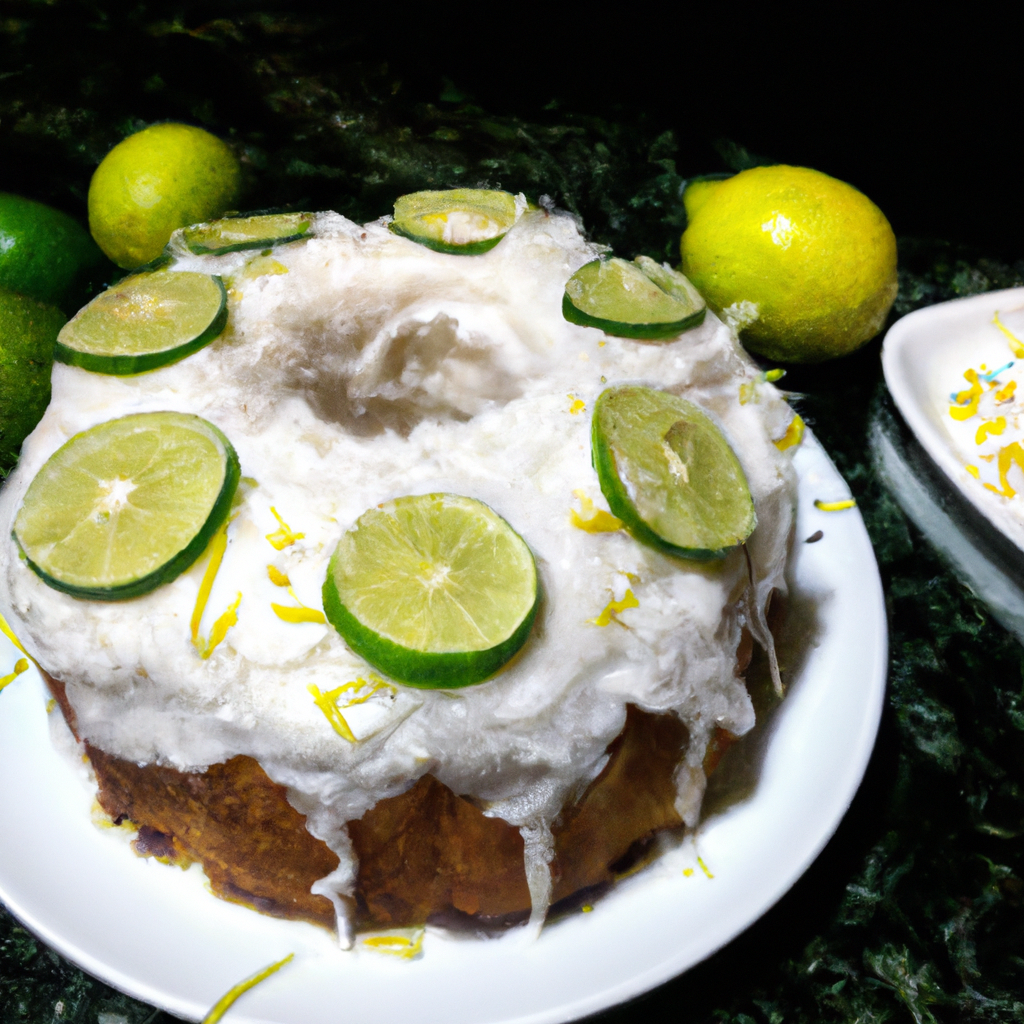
916,909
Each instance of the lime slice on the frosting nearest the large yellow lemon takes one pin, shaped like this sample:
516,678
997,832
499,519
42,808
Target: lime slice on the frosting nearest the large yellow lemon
642,300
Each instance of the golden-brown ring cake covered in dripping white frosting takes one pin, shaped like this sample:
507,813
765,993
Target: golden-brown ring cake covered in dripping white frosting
236,728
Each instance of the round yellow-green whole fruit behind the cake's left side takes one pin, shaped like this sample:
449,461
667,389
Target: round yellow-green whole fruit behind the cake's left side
155,182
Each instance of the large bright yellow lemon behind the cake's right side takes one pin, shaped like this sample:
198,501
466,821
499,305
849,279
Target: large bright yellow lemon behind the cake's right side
803,265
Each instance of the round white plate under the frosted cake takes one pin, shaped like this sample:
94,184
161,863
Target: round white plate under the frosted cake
154,932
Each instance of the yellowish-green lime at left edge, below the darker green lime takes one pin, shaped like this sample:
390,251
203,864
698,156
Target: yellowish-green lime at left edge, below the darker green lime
28,331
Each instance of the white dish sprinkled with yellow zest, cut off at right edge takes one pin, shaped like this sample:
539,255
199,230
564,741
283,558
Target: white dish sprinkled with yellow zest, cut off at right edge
924,358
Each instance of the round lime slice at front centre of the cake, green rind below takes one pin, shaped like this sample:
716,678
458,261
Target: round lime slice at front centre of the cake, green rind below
434,590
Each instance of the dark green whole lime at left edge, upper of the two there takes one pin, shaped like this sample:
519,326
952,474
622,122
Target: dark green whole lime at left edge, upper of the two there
45,253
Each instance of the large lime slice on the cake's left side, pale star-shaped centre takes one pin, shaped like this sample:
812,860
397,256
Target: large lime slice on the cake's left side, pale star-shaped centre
127,505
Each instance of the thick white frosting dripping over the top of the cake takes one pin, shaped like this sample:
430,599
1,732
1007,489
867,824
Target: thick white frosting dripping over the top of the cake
376,368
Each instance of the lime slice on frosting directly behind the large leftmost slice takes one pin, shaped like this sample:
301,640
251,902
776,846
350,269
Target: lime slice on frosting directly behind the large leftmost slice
145,322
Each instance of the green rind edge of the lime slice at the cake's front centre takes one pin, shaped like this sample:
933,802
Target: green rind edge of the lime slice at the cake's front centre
421,669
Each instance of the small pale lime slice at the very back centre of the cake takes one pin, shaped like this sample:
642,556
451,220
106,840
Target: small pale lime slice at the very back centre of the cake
464,222
